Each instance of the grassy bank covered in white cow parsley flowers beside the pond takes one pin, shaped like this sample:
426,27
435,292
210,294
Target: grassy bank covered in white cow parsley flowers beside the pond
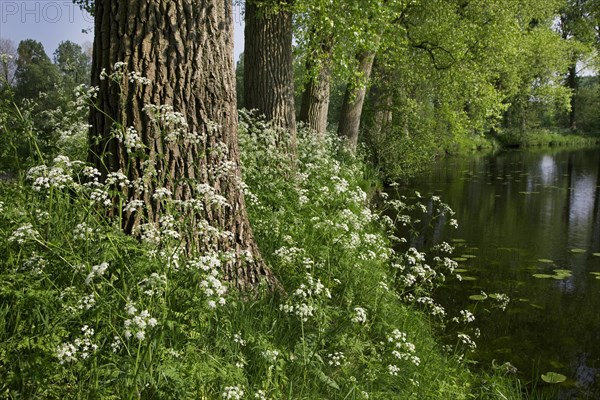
88,312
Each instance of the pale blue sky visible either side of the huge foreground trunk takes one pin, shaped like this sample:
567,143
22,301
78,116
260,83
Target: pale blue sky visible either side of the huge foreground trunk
51,22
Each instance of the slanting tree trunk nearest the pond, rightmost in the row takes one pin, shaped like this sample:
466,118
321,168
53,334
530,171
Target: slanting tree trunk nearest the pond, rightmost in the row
353,101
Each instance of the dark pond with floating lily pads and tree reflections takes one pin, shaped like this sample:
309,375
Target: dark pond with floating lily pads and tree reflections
529,226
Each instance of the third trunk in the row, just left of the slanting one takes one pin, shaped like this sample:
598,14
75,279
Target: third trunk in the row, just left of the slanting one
315,98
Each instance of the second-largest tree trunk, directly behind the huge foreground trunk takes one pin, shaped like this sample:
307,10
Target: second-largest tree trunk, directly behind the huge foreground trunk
268,69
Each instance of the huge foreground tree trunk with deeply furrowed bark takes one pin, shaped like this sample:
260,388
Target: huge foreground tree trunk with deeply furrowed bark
189,146
